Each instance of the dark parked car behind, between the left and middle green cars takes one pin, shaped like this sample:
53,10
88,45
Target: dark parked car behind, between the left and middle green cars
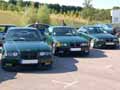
41,27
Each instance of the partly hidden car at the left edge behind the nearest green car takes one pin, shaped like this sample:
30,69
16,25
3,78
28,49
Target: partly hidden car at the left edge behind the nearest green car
3,30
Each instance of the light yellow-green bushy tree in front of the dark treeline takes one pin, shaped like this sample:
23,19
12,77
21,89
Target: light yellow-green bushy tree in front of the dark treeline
43,14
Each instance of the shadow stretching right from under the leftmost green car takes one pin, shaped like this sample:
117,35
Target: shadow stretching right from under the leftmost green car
60,65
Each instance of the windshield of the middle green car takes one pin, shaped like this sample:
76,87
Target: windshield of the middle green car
63,31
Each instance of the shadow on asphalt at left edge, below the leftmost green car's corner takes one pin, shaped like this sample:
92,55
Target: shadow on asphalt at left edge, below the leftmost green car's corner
5,76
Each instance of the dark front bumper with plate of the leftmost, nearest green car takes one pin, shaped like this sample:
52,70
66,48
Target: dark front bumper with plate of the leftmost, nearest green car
13,62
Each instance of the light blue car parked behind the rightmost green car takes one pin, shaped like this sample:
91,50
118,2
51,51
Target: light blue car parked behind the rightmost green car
106,27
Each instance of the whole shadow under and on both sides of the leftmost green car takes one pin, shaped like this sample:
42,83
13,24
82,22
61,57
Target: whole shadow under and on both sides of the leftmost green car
61,65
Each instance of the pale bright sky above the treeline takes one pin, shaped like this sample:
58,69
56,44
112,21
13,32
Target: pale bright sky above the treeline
102,4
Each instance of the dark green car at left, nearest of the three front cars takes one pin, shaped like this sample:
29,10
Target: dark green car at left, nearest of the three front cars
24,47
